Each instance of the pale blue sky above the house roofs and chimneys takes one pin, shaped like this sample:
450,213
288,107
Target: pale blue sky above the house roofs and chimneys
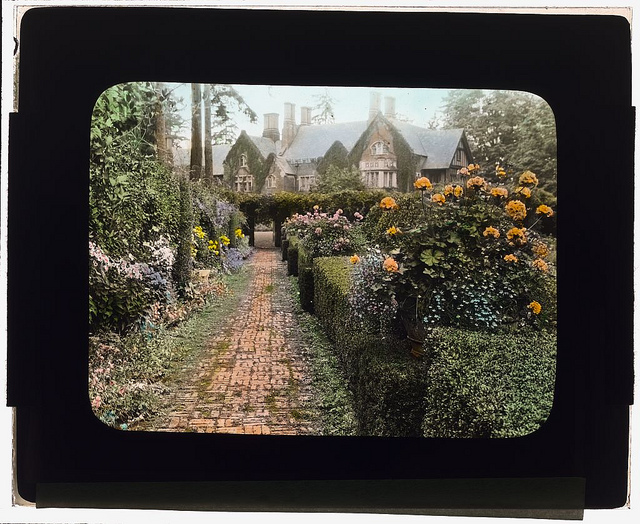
351,103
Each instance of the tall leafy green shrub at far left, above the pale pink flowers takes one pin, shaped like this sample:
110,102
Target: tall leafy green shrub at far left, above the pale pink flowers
133,197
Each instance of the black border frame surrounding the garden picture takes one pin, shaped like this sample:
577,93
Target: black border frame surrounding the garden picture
580,65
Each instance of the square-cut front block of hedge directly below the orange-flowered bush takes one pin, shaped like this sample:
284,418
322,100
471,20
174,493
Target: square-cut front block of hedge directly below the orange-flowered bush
488,385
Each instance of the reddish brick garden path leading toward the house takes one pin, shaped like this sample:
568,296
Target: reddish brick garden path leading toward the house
253,376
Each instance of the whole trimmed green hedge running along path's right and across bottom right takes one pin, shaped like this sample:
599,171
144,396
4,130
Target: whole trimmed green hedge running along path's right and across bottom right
470,384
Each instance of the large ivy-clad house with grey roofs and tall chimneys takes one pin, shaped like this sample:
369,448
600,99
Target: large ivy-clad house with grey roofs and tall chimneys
389,153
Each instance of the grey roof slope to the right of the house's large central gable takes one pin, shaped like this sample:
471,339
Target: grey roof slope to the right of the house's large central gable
438,145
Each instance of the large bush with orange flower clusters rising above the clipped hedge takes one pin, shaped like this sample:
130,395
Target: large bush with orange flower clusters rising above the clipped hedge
470,258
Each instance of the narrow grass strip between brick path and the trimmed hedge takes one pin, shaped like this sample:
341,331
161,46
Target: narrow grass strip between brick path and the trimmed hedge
333,398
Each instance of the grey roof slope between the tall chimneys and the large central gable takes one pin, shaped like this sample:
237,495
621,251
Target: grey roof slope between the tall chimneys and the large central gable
313,141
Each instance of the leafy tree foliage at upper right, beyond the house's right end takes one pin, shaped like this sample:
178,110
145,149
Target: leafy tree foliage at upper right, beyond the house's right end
515,129
